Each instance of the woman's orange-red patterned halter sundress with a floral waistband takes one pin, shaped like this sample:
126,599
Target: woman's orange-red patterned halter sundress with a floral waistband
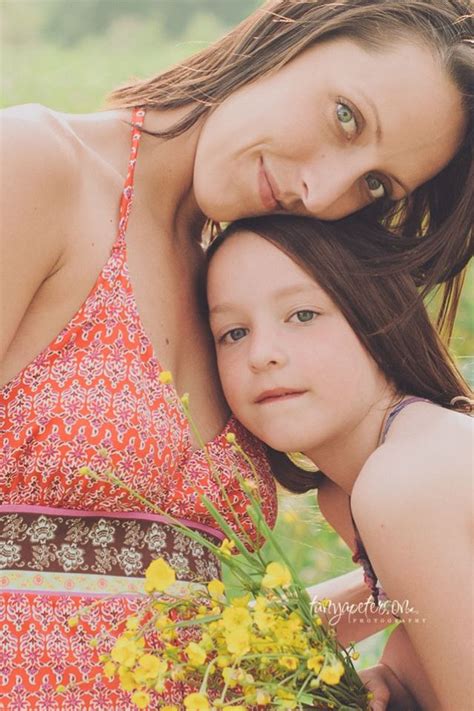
93,398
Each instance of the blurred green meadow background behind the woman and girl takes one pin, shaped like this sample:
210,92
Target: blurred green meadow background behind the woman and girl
68,54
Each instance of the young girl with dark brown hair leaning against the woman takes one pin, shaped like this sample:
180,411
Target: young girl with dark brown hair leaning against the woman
321,351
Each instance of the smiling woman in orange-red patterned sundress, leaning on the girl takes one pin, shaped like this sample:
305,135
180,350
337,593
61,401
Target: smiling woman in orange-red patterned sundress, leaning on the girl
217,141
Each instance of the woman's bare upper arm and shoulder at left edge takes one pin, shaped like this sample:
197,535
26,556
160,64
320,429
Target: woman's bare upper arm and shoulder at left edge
34,167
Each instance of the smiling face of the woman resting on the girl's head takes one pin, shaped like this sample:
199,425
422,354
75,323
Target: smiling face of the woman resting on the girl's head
331,131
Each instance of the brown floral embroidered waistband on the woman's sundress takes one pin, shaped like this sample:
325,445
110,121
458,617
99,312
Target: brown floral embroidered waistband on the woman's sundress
101,544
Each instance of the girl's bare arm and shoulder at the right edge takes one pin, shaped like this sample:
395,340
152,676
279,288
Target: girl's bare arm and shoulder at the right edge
412,505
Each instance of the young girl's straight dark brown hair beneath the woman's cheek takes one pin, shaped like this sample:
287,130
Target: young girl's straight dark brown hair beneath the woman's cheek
386,312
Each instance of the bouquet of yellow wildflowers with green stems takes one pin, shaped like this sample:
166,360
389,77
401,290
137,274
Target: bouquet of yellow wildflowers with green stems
266,648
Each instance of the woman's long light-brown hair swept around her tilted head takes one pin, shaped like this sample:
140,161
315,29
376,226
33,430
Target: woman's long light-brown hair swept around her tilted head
433,226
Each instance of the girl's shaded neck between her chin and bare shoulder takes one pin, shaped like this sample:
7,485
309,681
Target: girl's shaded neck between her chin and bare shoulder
343,458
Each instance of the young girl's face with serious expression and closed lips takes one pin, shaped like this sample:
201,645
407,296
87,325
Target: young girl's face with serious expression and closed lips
292,369
